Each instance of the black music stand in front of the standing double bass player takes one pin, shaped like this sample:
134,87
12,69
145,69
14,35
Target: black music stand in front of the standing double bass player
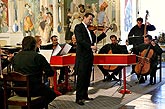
135,40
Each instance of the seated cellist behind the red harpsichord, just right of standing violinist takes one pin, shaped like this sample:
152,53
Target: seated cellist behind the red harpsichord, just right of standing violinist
114,48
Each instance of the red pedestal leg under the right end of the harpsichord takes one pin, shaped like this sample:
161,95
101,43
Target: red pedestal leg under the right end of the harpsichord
125,90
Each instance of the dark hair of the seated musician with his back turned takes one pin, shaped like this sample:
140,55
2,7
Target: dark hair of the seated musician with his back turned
28,43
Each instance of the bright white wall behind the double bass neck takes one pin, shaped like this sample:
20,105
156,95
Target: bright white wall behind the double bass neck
156,14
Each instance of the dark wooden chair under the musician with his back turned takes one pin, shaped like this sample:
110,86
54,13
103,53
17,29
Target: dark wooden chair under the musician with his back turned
27,101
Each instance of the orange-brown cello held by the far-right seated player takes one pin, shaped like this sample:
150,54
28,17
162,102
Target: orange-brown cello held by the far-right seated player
143,65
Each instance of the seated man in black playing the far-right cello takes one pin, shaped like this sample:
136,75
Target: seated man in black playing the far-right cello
149,43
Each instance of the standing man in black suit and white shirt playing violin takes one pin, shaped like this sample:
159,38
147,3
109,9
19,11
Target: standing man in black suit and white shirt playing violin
84,56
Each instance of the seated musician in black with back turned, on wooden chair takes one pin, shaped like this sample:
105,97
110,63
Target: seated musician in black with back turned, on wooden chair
28,61
